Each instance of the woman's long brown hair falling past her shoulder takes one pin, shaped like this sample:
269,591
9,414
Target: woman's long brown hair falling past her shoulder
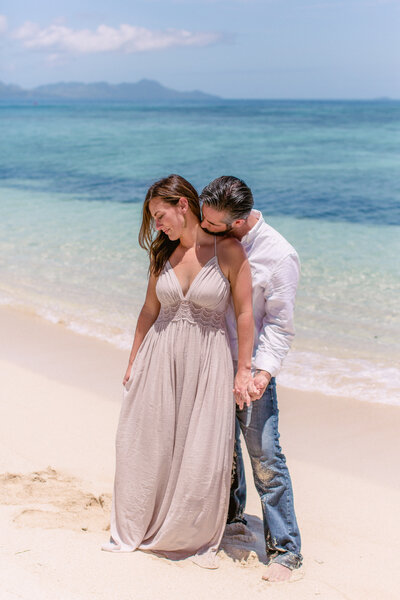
160,247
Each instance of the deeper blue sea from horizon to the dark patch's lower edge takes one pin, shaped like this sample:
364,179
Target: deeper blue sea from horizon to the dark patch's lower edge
333,160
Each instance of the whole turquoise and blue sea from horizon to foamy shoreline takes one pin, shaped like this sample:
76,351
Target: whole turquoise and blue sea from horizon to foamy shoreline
325,174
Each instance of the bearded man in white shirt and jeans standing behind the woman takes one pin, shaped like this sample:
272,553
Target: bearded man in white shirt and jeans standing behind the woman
228,210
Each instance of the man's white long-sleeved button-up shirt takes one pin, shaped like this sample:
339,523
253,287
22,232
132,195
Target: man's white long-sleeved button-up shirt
275,270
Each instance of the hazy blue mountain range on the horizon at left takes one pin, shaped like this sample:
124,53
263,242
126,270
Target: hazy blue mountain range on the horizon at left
145,90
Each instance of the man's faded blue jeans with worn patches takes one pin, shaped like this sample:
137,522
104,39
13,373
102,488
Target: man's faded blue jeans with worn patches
259,425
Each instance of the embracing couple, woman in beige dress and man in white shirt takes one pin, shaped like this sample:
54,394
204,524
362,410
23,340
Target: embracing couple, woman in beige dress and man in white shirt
176,432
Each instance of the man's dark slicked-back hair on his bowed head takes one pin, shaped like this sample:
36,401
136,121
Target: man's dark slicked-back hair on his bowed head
229,194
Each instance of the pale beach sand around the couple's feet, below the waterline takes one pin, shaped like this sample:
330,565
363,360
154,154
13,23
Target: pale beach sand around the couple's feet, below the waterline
59,400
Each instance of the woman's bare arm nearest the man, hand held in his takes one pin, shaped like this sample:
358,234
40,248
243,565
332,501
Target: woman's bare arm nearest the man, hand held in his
239,276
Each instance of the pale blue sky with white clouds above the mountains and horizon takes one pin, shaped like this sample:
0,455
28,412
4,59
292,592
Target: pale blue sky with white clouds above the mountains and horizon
235,48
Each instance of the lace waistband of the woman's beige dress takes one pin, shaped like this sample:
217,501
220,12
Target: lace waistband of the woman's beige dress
185,310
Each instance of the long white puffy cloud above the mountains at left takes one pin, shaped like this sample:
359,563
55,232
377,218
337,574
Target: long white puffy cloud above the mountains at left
127,38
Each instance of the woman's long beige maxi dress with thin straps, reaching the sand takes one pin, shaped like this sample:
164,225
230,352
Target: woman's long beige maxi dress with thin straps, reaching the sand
176,430
